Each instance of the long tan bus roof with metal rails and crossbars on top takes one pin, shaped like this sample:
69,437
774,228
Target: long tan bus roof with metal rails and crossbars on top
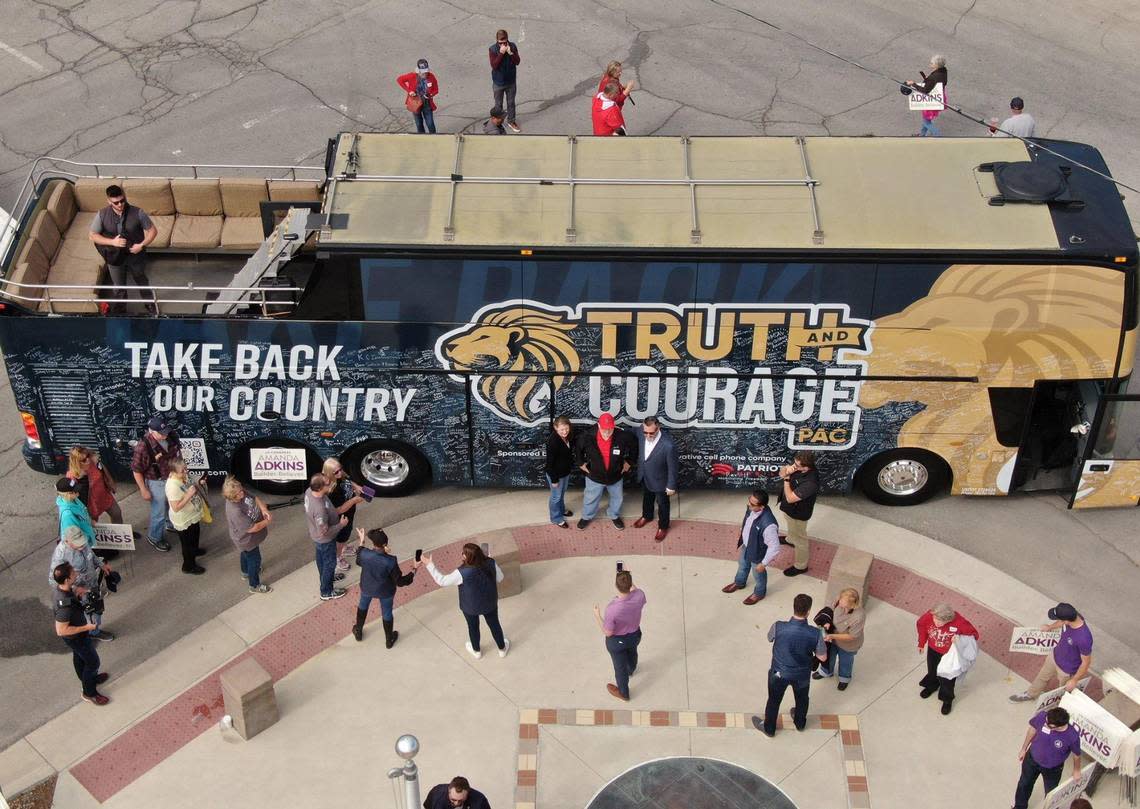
728,193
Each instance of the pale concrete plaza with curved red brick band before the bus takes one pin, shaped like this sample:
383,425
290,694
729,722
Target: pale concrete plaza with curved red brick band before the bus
539,726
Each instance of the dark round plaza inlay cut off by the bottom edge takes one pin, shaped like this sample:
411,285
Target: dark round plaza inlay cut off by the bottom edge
690,783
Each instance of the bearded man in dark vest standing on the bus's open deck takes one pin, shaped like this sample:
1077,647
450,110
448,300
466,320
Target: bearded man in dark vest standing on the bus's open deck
121,233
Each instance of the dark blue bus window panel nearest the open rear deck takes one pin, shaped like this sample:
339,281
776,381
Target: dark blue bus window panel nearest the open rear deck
444,291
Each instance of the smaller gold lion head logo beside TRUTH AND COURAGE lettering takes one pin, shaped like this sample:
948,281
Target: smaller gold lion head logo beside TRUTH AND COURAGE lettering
515,339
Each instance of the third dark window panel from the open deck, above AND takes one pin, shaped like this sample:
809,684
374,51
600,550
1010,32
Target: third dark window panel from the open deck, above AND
787,283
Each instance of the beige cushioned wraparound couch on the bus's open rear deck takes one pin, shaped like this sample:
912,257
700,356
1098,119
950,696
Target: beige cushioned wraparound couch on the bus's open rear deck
192,216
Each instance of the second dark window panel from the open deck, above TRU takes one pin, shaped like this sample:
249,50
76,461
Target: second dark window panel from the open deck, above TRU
569,283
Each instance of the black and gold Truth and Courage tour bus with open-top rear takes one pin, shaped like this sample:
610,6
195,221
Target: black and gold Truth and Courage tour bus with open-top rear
923,314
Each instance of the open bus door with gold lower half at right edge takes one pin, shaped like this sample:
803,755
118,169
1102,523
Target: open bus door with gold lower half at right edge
1110,473
